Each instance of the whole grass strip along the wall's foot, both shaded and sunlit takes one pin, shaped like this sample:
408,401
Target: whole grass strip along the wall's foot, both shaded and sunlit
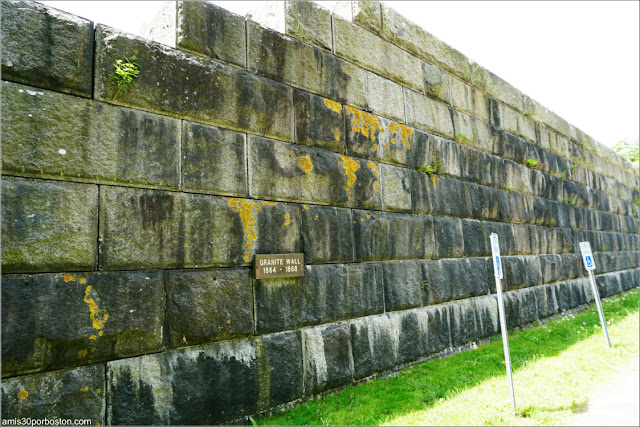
555,367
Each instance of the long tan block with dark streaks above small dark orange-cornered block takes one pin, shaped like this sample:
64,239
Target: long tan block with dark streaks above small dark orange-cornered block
281,58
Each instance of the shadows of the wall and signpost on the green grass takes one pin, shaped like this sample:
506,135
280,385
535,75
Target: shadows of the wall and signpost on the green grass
424,385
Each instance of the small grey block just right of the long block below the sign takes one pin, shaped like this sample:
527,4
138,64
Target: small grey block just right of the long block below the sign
402,285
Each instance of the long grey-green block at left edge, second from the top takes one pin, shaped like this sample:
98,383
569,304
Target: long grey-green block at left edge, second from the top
48,134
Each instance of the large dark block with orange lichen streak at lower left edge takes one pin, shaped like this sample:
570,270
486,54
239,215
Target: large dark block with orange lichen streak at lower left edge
52,321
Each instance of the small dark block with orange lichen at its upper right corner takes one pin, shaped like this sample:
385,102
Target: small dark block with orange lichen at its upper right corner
319,122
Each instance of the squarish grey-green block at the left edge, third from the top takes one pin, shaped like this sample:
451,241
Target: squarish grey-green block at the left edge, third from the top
48,226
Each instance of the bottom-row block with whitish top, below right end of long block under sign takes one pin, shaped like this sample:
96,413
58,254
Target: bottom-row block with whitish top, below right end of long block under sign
374,345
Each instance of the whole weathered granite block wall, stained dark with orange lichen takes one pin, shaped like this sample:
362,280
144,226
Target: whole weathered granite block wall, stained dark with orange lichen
130,218
